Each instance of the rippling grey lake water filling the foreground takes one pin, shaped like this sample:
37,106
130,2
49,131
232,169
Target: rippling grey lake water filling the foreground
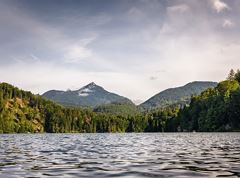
120,155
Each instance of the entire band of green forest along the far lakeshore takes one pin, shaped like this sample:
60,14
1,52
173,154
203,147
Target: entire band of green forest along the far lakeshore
215,109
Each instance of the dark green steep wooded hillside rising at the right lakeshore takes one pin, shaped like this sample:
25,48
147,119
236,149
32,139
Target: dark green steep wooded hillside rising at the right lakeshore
216,109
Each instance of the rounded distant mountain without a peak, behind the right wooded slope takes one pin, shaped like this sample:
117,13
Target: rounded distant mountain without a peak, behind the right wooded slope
179,95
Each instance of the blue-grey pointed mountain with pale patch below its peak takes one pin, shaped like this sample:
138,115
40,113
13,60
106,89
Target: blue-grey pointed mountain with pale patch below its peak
90,95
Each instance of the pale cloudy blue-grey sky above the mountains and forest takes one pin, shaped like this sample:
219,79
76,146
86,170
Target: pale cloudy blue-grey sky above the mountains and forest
135,48
